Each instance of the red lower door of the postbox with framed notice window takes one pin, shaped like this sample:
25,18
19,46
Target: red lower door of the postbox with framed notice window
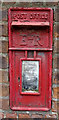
30,93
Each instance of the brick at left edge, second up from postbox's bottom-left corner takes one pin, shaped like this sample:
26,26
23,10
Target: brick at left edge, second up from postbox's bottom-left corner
4,90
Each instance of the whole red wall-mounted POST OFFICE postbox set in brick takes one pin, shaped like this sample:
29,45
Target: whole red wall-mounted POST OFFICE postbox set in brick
30,58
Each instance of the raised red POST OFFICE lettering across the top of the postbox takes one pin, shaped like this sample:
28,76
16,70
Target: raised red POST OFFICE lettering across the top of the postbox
34,16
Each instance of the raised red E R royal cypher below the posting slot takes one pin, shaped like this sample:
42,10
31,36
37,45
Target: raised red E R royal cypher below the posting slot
30,40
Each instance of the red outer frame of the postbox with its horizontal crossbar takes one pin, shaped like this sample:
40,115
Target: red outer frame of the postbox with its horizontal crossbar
11,49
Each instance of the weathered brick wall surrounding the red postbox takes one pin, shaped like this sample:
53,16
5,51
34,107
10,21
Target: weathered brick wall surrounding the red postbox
5,111
